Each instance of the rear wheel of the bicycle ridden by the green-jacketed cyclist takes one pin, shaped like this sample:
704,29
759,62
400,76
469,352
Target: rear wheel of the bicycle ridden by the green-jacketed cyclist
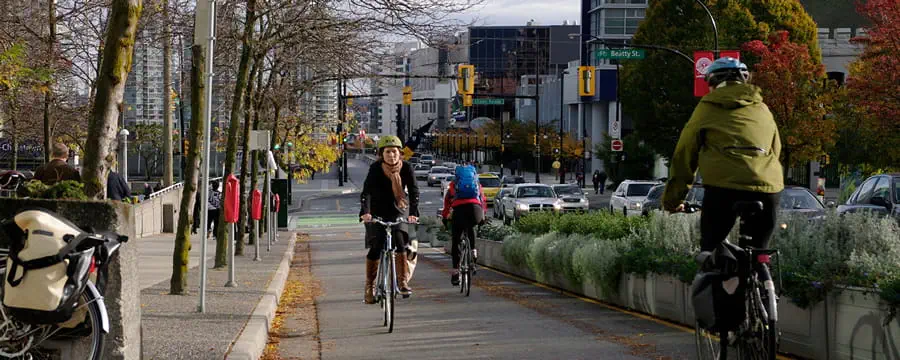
757,339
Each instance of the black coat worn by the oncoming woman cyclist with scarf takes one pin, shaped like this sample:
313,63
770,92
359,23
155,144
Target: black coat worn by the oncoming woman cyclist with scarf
377,199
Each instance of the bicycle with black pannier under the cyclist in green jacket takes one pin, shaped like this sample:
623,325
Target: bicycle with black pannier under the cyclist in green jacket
756,335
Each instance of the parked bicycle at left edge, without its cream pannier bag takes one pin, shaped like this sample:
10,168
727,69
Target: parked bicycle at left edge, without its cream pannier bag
23,339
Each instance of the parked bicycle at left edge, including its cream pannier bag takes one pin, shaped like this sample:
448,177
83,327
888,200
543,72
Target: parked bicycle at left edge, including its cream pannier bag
68,306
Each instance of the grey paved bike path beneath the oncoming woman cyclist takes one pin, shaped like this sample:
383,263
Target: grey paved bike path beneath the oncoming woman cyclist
503,319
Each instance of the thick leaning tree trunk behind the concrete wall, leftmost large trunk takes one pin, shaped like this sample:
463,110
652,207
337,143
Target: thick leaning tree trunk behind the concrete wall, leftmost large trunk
102,126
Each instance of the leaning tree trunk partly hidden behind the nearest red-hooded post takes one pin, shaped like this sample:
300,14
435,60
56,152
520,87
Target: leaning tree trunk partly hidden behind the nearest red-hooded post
231,150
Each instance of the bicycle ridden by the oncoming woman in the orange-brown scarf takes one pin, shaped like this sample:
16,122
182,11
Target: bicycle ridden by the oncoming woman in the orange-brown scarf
386,288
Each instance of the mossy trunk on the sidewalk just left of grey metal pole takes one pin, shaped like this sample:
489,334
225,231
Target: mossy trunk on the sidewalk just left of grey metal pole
192,173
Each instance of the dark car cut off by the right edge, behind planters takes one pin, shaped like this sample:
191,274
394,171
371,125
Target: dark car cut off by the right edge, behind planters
879,194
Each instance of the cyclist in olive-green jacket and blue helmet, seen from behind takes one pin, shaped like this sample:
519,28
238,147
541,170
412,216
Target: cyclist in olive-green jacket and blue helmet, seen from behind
733,140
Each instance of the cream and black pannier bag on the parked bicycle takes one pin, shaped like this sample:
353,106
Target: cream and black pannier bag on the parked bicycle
45,272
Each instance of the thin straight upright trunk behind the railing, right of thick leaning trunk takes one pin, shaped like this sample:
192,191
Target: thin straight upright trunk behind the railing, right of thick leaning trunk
168,147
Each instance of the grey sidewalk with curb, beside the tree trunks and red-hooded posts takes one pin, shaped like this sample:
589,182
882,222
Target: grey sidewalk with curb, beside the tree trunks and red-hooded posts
235,324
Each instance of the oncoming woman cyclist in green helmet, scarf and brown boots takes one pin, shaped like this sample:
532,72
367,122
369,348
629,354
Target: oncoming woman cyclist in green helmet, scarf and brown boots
389,192
